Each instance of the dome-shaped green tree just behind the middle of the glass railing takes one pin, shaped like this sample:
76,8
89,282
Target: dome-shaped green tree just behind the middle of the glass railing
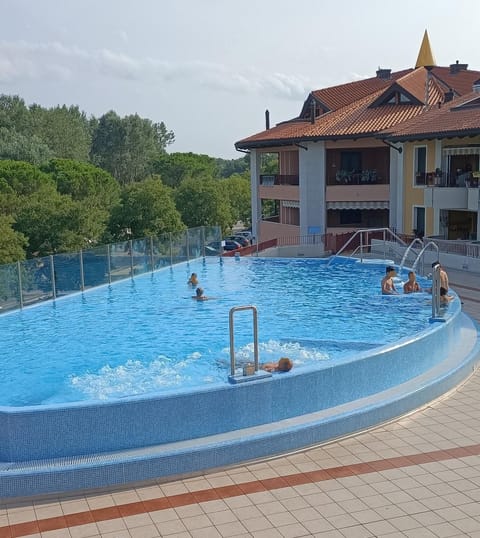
147,209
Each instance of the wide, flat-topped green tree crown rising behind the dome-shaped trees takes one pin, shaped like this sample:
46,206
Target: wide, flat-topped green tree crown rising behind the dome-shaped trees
174,168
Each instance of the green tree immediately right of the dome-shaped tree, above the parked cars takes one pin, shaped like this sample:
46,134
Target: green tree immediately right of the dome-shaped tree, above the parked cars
202,202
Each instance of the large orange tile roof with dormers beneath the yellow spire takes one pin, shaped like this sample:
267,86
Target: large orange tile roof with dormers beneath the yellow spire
357,109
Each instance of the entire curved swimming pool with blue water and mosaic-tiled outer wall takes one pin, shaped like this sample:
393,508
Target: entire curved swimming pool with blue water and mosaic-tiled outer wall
82,444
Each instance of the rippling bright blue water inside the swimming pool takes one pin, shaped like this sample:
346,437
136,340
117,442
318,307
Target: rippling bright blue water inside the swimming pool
147,335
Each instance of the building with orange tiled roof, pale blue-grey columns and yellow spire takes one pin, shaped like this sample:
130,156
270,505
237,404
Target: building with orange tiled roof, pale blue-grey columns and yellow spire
342,164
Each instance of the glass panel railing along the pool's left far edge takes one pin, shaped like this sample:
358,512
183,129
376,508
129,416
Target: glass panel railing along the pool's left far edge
39,279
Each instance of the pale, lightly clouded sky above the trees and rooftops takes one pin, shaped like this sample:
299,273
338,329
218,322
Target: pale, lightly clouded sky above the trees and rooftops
210,68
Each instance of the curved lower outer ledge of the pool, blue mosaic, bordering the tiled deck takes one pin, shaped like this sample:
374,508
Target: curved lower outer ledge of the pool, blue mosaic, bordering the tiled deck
171,460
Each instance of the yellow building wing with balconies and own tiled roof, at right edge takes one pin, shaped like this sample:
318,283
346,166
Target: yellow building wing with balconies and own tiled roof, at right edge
441,169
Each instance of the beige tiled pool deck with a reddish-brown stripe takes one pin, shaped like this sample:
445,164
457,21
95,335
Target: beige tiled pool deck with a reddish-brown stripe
418,476
